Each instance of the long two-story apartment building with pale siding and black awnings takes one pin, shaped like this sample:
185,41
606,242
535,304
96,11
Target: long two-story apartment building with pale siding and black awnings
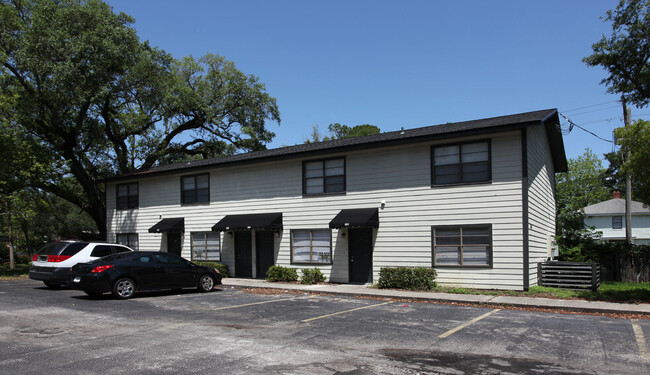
475,200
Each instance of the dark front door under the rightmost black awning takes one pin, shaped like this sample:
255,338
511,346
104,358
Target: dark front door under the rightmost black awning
360,255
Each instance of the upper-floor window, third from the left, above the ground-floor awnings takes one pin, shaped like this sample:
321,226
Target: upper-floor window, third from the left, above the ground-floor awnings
324,176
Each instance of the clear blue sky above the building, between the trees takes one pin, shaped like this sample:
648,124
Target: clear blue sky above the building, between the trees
398,64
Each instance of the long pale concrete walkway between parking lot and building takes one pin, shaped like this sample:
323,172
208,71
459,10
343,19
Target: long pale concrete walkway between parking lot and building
363,290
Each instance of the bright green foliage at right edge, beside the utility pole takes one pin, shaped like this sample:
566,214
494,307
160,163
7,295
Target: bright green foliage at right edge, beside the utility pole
634,139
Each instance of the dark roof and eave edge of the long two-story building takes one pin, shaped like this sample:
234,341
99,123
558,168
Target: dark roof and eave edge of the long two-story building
548,117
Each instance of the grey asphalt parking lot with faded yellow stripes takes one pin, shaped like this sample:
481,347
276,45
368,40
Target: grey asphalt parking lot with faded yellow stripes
233,331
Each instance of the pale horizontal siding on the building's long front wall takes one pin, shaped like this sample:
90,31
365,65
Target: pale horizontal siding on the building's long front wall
398,175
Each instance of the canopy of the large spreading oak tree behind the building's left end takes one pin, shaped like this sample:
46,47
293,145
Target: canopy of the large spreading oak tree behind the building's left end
99,102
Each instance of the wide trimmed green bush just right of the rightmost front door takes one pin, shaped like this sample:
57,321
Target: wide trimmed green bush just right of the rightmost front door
410,278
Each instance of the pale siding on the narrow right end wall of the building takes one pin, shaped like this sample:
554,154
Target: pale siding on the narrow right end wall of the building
541,198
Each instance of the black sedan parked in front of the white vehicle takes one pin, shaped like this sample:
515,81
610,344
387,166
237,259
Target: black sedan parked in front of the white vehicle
124,274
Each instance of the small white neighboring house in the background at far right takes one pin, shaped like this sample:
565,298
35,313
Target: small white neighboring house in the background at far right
608,217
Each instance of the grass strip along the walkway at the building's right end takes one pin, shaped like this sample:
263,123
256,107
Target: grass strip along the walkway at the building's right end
610,291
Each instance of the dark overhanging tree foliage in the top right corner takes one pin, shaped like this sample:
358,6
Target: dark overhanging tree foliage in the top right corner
625,53
